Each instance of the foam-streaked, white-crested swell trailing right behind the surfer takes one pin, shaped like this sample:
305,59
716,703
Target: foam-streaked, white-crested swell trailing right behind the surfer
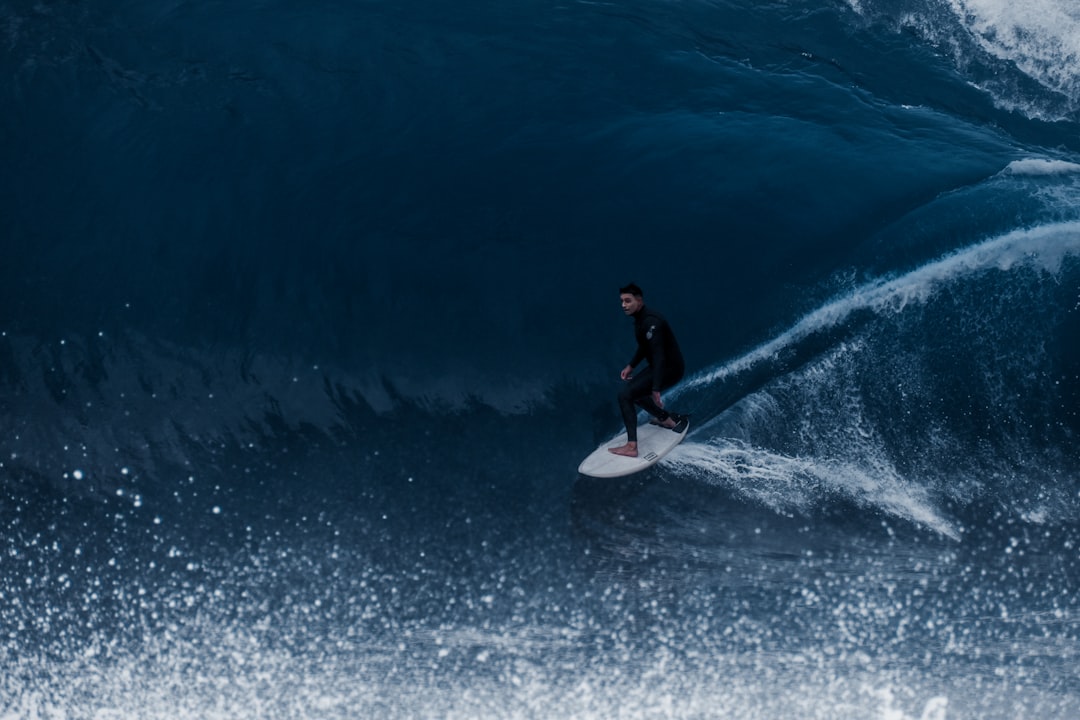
927,397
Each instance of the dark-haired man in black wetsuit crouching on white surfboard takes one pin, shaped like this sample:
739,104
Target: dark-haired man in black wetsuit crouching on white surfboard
656,344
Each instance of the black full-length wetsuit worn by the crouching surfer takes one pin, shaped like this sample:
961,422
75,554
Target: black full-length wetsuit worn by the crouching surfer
656,344
